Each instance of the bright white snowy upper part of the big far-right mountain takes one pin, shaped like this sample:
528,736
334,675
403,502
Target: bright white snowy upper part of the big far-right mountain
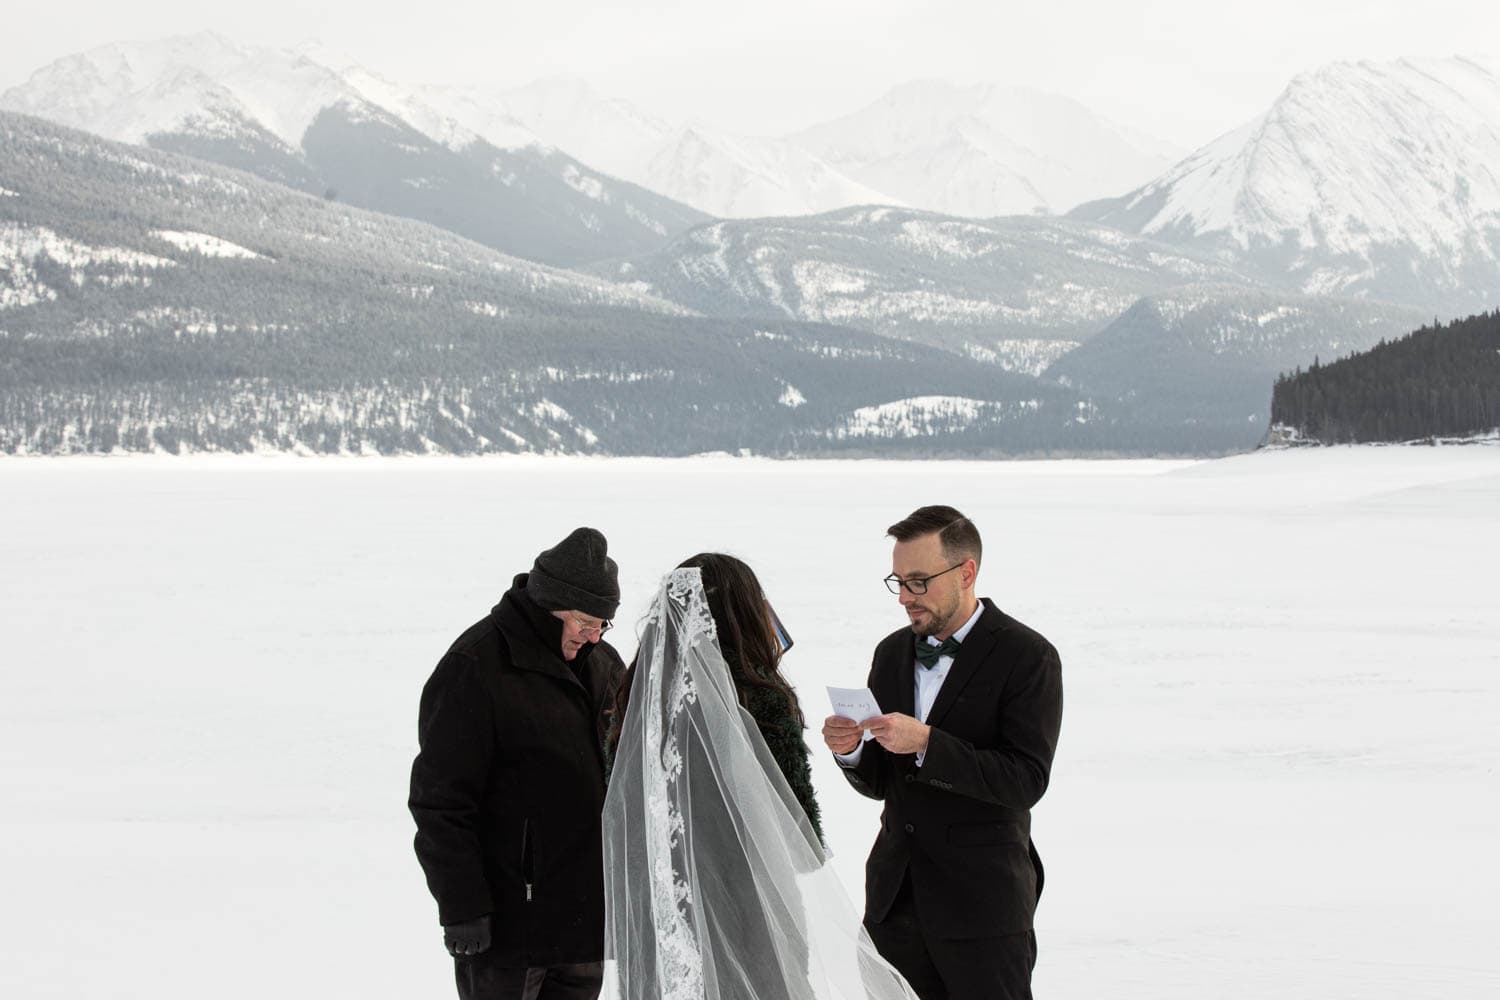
1349,157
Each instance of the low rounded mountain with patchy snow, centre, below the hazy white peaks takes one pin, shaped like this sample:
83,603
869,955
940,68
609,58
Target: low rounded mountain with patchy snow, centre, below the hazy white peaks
1016,293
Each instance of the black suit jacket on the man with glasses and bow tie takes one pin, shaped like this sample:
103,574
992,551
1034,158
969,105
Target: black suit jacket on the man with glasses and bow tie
961,824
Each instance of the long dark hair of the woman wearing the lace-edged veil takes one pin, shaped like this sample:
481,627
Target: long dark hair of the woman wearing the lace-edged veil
743,621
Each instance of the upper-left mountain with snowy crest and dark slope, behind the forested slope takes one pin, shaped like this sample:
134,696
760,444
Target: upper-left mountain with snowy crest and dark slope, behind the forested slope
343,131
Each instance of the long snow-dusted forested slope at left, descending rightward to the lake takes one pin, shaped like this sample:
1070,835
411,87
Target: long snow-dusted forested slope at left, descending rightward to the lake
155,302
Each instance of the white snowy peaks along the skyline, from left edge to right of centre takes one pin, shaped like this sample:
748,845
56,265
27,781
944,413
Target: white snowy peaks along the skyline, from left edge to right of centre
959,151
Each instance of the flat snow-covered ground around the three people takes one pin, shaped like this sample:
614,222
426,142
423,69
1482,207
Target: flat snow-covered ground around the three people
1277,774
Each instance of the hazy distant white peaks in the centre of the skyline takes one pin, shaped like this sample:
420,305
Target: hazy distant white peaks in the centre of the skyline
958,151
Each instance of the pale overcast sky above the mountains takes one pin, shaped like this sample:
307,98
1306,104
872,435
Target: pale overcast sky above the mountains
1181,70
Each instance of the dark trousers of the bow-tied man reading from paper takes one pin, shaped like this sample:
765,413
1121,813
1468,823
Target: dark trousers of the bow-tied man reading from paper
944,969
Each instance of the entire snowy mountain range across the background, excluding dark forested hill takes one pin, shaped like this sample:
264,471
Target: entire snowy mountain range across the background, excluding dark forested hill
1360,205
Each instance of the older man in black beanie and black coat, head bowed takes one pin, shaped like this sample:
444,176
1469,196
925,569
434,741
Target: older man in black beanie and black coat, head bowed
509,783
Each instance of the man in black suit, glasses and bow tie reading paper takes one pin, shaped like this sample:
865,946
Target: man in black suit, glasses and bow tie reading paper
974,704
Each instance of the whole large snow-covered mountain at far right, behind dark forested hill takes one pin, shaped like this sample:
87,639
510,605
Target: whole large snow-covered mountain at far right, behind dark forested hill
1363,179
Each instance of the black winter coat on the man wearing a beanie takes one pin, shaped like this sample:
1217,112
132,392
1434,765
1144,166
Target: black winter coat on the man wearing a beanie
509,785
